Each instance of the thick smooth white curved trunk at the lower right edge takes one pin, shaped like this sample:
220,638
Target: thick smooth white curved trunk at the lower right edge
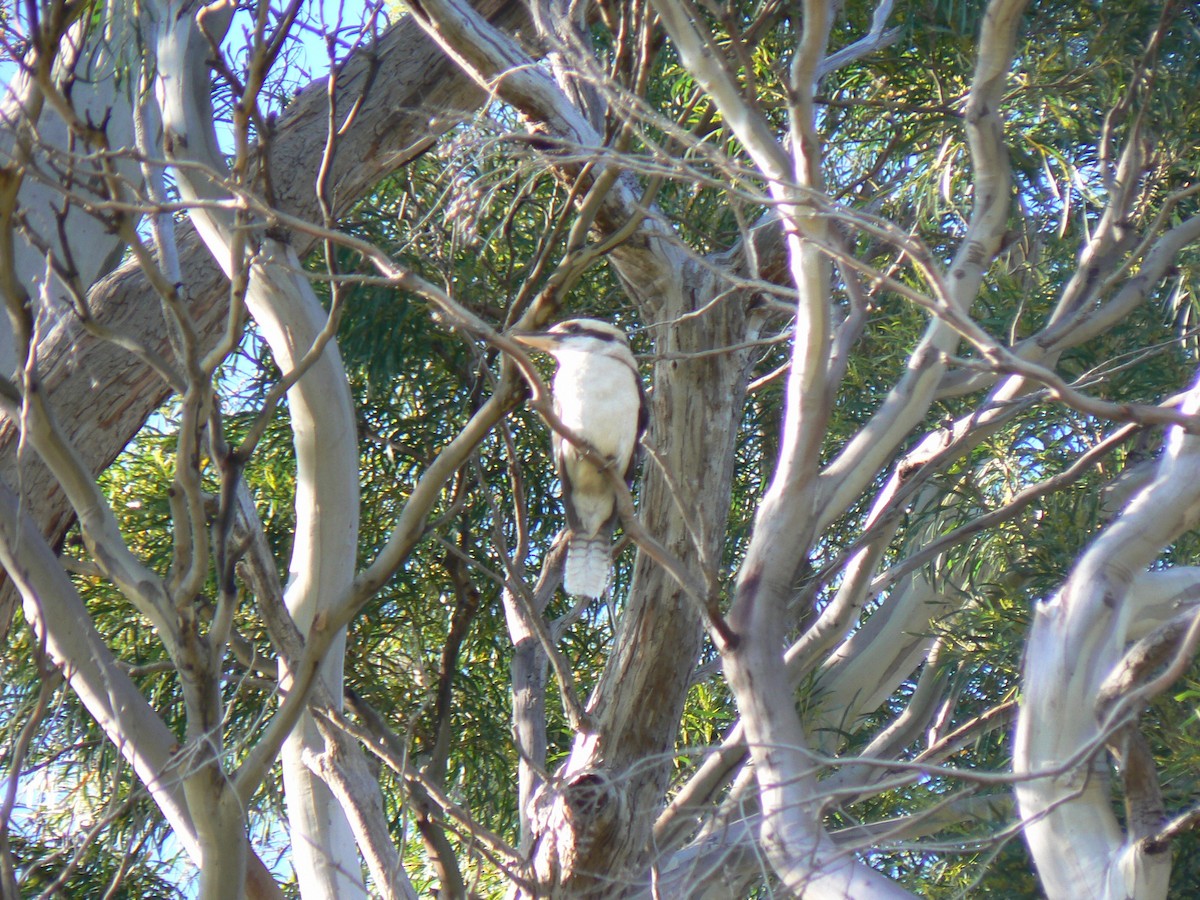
1079,637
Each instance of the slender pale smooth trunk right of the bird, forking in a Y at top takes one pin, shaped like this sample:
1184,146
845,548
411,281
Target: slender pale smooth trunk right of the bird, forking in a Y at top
795,842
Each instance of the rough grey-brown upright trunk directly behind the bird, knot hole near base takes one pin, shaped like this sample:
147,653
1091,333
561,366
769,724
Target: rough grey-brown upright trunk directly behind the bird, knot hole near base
595,830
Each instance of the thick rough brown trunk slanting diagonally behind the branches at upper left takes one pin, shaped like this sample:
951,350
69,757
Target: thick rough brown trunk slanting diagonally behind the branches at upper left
410,94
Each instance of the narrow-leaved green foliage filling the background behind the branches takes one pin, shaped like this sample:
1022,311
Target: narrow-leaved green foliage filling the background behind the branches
483,213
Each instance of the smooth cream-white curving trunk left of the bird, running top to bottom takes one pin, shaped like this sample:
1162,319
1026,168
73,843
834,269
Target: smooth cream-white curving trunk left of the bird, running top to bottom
291,320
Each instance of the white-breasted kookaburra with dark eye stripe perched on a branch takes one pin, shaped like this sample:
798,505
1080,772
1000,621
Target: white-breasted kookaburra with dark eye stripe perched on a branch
598,395
